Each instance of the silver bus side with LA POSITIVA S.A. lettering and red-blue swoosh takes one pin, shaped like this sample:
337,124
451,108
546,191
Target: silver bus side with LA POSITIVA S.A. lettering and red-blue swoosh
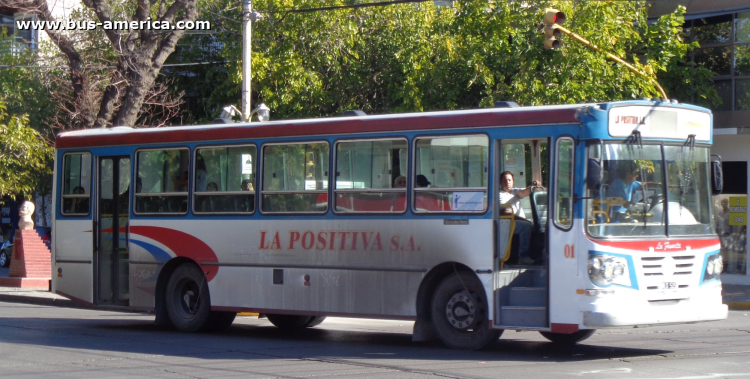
352,266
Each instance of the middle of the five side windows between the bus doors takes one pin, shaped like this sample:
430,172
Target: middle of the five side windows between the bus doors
295,178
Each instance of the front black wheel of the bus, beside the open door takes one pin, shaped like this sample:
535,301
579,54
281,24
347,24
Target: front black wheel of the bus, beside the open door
460,313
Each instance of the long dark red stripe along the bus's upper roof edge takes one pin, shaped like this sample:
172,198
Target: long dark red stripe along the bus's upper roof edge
110,137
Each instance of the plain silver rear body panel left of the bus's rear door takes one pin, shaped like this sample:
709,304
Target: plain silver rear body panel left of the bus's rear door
73,260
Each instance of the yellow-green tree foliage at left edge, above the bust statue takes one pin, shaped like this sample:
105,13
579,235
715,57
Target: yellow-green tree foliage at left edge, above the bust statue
25,155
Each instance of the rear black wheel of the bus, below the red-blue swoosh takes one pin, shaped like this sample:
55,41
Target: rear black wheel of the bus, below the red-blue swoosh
188,300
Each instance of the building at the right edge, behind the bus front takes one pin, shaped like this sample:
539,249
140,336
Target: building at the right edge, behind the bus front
722,27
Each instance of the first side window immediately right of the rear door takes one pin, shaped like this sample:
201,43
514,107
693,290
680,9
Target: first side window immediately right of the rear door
162,181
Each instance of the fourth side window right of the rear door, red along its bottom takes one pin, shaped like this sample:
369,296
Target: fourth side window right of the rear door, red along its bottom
369,177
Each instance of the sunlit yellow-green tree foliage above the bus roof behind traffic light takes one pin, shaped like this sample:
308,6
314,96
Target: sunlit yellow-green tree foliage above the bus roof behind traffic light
415,57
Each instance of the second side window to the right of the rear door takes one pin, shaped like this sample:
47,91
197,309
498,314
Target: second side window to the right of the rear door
224,179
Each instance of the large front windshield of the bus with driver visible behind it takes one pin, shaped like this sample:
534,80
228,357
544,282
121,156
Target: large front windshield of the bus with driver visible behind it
648,190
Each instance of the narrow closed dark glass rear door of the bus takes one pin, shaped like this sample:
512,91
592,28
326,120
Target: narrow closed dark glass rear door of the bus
113,210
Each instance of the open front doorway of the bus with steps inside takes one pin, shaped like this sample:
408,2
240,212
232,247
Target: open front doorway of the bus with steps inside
521,286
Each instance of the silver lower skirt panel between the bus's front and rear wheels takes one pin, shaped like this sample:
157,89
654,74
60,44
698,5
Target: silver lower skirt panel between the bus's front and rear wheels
308,290
